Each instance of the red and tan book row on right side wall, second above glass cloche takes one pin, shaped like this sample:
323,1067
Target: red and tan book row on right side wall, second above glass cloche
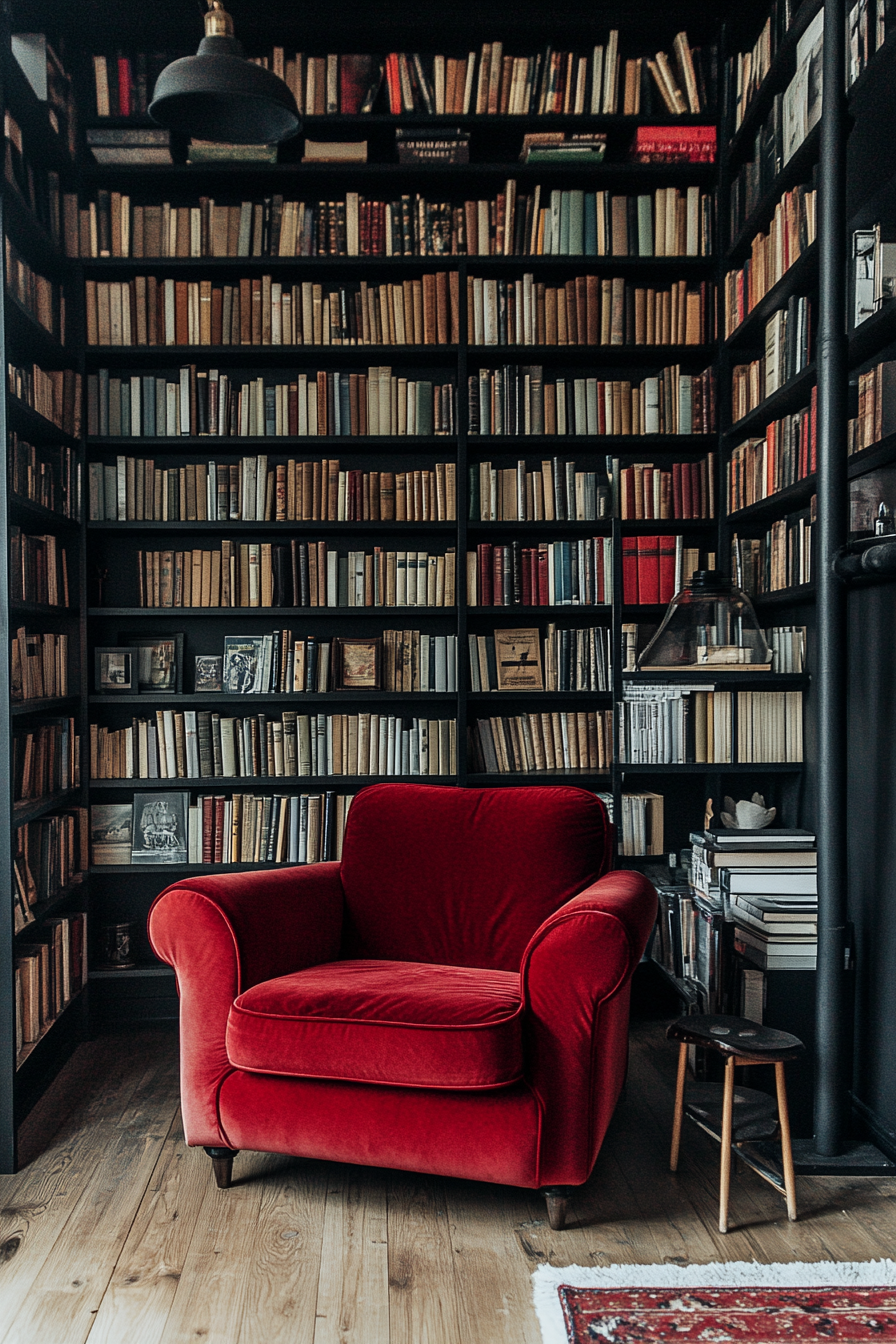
762,467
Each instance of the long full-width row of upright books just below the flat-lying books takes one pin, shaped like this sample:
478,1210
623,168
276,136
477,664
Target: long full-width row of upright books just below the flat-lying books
555,222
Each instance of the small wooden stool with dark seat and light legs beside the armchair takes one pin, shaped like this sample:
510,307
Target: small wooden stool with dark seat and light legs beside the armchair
735,1116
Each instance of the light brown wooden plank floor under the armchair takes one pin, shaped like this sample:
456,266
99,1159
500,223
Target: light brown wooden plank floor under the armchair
116,1233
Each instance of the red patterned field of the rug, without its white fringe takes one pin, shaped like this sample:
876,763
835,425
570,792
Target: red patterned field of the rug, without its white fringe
713,1316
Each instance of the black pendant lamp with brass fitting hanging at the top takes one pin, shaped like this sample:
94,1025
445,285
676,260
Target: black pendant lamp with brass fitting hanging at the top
218,95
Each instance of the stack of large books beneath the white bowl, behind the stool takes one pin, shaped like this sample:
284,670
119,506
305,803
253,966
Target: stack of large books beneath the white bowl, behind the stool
768,884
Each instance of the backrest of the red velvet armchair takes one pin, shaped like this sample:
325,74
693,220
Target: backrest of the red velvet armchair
465,877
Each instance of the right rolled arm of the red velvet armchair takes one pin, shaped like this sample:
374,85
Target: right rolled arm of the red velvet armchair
576,980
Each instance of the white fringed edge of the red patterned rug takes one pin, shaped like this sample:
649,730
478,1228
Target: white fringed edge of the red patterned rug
547,1280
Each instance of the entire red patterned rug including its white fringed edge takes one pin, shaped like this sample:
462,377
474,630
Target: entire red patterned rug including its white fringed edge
718,1304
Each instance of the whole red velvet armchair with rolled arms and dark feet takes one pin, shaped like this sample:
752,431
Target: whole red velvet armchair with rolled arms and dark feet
452,998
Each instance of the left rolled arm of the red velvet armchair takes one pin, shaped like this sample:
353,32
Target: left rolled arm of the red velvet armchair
224,933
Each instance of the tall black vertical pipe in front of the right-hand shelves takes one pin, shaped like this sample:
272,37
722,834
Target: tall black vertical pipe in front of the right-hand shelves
831,698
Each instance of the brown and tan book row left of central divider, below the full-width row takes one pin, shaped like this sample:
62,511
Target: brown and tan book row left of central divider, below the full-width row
152,311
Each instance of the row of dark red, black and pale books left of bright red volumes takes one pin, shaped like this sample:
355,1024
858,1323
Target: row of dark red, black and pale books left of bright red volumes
550,575
